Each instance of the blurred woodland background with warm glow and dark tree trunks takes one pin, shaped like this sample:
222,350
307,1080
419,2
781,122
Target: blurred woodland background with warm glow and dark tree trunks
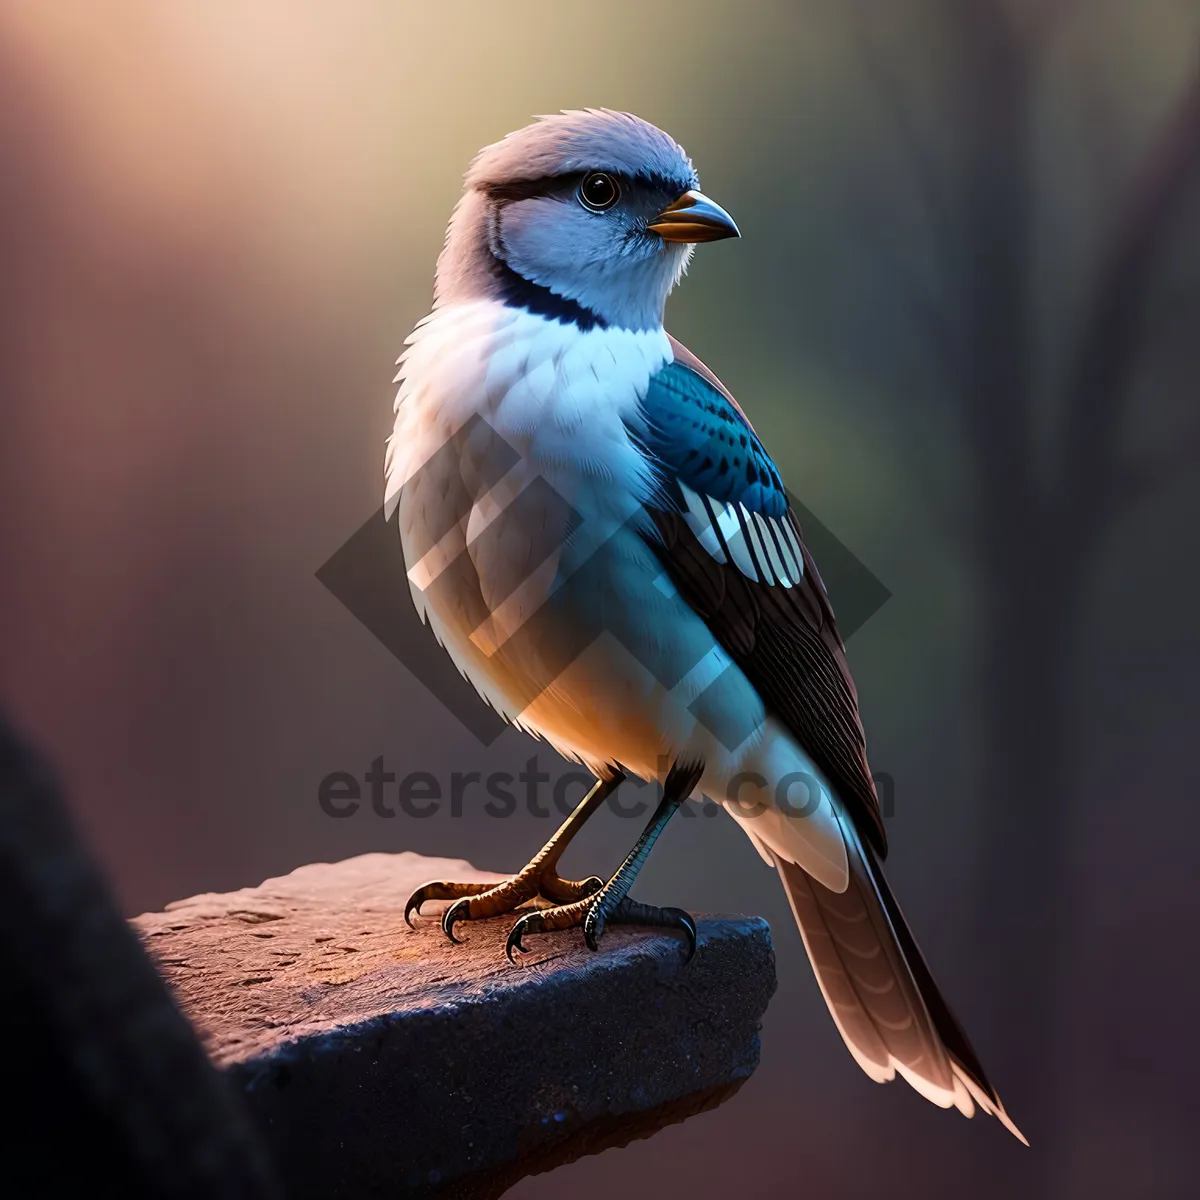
964,316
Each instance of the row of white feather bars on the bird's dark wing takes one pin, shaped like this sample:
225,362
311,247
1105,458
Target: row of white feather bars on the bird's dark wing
764,549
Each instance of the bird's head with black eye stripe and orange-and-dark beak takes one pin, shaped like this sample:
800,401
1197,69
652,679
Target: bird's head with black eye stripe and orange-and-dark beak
587,215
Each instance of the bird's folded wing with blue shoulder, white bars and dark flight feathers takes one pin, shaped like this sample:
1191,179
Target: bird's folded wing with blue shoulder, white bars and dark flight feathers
734,550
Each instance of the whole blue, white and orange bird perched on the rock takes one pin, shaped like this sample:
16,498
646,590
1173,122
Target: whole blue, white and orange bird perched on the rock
599,539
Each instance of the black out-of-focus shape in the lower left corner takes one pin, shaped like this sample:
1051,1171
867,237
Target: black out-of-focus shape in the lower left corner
109,1091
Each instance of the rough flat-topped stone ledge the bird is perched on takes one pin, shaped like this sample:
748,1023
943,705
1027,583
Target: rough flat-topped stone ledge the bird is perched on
382,1061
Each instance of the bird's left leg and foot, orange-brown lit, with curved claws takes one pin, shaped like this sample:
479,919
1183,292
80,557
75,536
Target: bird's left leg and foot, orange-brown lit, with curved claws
538,878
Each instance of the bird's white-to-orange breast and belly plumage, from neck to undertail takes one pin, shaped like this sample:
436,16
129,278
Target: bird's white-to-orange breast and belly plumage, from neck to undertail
524,476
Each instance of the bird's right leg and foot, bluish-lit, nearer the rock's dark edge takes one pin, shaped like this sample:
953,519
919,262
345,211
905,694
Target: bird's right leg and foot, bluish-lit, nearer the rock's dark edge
613,903
